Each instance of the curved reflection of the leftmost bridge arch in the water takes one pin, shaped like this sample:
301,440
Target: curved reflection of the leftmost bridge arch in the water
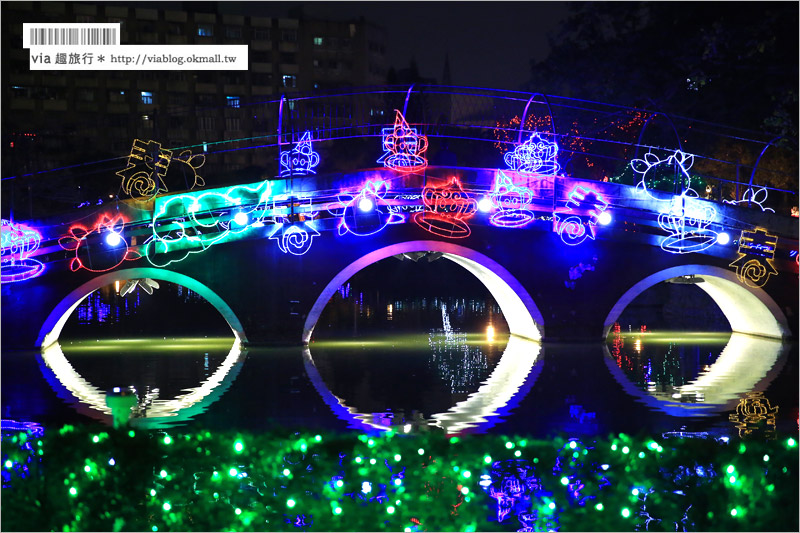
157,413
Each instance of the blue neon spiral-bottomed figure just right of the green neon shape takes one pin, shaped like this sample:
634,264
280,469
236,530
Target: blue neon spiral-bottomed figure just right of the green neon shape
293,236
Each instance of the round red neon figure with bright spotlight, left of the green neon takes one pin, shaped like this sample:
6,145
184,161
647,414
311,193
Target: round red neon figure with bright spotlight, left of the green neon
101,248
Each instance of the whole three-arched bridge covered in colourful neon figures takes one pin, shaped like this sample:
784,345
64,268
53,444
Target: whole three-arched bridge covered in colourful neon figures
566,210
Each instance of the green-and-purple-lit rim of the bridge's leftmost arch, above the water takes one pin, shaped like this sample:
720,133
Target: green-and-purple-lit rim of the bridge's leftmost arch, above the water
51,329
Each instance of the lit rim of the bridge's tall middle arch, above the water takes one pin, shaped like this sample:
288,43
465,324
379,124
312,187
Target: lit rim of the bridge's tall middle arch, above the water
523,317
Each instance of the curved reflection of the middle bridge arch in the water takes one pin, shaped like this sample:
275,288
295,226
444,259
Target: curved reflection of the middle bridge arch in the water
514,375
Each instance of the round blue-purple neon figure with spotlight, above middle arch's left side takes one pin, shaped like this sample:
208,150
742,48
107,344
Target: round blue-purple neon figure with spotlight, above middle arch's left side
367,212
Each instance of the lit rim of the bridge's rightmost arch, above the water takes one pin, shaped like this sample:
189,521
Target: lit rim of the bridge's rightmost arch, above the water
749,310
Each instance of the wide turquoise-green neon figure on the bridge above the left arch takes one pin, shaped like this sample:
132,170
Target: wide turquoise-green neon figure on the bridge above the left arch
186,224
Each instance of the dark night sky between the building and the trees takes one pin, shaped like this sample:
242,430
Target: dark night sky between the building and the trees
490,44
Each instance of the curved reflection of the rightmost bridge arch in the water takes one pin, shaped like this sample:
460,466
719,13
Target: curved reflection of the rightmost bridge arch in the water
746,364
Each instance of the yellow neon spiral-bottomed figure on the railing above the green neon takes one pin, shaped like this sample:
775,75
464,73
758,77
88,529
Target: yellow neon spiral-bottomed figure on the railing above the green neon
147,166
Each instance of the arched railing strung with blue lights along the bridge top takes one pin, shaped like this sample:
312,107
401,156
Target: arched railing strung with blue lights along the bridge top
466,128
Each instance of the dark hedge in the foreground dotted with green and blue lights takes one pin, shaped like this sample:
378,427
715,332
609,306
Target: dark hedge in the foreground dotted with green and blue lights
84,479
